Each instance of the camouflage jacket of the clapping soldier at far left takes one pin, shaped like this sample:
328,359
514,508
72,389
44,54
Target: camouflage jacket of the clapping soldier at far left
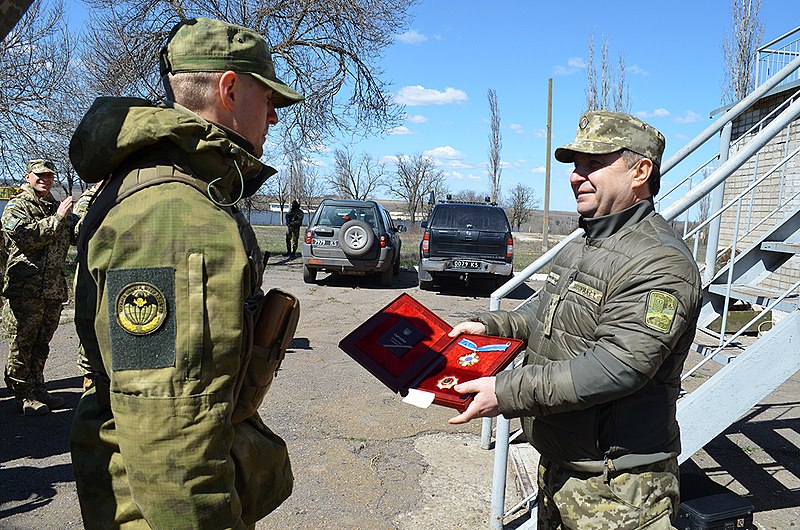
37,240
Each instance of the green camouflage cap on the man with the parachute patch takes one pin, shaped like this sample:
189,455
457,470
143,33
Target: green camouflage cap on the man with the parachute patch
207,45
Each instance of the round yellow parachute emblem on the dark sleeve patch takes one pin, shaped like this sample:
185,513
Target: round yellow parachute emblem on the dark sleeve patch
141,308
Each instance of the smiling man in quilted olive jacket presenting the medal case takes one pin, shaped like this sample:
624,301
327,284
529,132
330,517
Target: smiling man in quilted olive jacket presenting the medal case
607,339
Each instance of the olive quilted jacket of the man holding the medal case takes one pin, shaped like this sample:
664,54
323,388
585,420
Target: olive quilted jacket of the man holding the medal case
607,339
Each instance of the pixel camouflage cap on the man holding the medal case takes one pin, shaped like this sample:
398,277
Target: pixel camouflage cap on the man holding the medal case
602,131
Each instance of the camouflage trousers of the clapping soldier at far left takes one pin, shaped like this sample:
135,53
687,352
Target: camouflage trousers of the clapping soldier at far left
29,325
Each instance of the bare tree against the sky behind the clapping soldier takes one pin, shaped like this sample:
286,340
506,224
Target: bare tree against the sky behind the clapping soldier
37,92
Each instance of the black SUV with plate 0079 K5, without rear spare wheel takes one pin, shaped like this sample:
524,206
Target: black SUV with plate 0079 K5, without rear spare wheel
466,240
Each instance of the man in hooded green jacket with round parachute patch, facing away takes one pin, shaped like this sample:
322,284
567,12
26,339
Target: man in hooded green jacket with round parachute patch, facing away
169,282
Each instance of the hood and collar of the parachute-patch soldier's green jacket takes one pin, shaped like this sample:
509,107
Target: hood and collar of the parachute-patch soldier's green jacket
114,129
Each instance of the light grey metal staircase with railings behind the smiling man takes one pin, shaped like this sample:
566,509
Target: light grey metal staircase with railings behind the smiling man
746,278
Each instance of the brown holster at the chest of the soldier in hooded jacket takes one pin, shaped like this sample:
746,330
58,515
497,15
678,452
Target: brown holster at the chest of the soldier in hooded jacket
270,332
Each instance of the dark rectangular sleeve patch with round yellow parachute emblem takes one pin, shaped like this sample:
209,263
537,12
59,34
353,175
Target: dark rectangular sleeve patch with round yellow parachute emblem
141,318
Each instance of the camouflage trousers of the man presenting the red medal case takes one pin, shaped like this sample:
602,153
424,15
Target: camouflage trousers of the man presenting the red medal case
644,497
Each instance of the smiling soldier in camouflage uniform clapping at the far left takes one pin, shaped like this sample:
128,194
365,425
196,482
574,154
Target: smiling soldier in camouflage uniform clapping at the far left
37,231
